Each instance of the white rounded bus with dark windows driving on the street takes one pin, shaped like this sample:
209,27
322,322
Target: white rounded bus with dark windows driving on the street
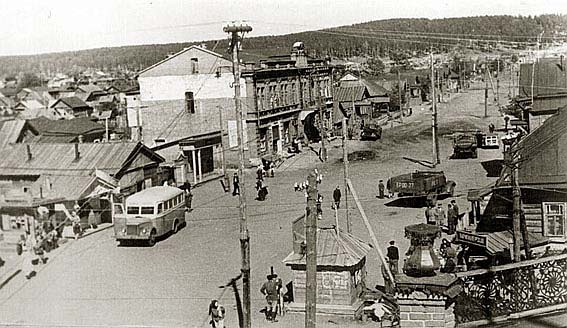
149,214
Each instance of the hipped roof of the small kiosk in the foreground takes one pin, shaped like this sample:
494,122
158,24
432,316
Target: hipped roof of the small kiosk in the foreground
342,250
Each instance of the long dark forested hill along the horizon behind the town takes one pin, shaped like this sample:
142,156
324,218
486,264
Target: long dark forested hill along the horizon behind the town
371,38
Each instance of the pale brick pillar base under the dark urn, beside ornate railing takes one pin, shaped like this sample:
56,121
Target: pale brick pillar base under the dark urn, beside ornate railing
420,310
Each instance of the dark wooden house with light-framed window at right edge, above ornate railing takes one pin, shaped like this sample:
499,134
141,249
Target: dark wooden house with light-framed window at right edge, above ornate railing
542,176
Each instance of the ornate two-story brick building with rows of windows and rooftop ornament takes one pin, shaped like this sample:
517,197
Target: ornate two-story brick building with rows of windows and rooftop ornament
290,98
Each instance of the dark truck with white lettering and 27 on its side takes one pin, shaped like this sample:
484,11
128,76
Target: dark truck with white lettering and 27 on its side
421,183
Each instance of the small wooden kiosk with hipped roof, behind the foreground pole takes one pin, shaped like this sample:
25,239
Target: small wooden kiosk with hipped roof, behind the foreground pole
341,270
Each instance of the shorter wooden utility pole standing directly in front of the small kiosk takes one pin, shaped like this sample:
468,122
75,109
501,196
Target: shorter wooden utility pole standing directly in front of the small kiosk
311,249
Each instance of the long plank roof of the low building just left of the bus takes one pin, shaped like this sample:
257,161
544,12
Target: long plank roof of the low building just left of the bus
58,158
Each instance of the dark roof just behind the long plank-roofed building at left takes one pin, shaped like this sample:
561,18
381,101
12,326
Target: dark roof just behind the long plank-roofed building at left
76,126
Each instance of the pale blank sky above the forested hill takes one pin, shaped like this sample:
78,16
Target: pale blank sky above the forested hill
40,26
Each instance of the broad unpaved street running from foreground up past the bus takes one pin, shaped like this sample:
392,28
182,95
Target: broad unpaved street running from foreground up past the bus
95,283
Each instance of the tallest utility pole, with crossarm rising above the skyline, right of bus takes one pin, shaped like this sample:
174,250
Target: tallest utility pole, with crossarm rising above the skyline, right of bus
234,30
